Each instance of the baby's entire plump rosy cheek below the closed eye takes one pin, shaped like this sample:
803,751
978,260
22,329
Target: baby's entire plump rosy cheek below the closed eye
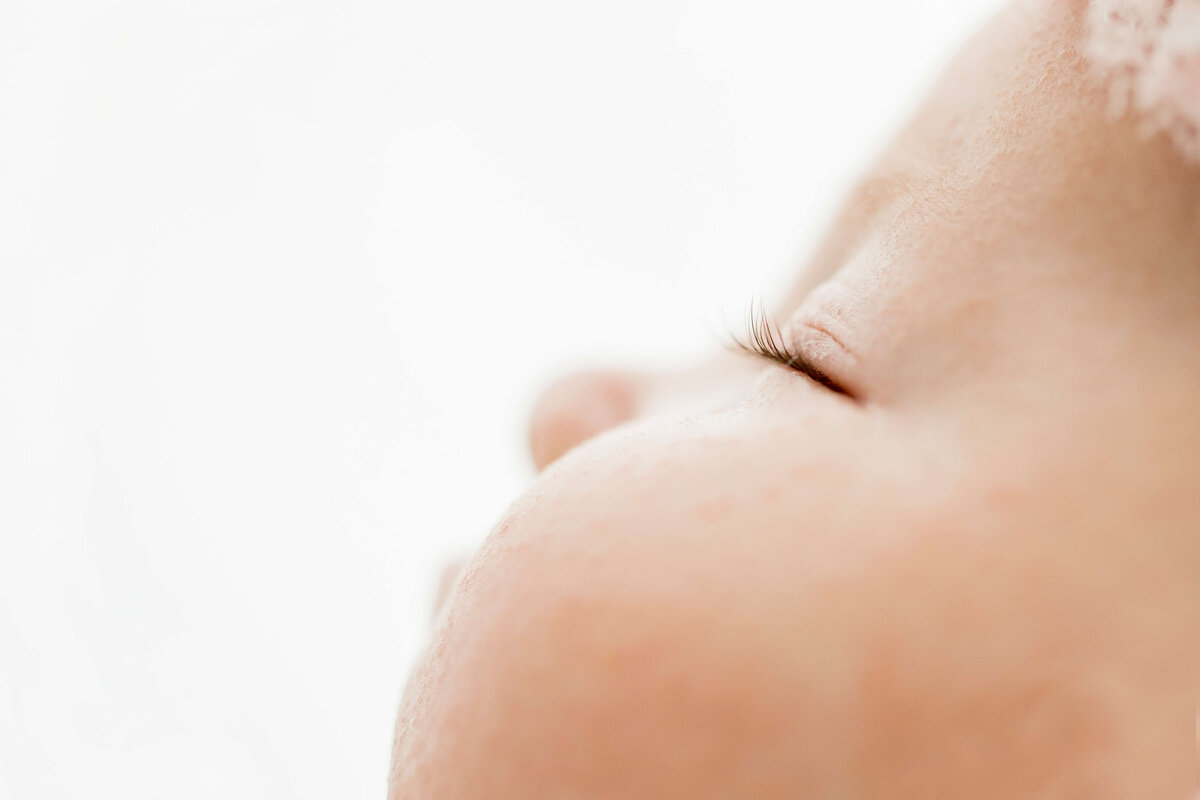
710,613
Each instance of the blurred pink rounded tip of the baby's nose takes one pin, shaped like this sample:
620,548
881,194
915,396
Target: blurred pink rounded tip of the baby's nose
577,410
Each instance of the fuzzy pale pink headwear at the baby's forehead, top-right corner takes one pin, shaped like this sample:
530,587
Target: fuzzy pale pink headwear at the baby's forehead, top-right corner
1150,53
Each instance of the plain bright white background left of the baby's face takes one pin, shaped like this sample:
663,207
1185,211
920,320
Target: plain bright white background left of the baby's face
279,285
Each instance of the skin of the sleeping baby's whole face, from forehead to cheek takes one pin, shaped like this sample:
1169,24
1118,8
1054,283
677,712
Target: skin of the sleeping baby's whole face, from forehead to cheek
979,578
